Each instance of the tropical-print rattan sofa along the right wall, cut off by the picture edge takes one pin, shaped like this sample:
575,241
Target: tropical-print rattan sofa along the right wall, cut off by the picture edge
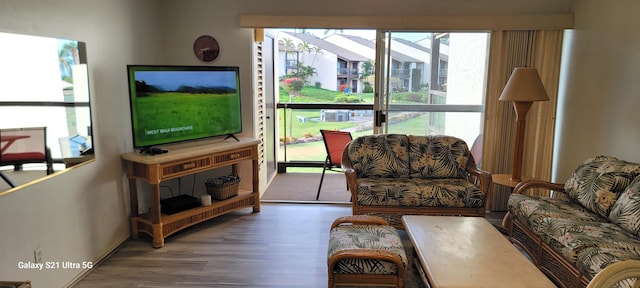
588,223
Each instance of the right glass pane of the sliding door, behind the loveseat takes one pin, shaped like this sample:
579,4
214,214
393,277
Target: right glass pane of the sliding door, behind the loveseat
431,83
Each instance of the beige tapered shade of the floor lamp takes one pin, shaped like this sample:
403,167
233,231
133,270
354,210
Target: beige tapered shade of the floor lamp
524,85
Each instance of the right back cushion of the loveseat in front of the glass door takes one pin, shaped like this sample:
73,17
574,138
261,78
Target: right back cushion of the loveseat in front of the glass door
438,157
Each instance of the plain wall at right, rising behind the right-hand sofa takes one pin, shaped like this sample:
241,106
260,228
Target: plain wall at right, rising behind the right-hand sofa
599,91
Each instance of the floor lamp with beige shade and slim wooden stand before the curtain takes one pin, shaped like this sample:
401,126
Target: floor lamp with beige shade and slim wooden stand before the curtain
523,88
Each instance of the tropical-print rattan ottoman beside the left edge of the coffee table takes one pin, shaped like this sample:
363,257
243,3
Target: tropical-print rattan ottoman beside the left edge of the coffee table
365,250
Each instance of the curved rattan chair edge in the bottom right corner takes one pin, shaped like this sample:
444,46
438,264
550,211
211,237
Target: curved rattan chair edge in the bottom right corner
616,272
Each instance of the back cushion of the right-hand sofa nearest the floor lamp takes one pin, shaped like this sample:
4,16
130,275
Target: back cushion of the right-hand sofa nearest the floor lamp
598,181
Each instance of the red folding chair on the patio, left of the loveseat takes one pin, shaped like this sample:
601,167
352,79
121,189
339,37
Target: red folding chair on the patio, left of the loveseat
334,142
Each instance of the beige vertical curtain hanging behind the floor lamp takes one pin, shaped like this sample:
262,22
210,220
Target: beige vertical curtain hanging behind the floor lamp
511,49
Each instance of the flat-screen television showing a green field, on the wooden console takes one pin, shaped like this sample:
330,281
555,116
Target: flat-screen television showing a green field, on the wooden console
180,103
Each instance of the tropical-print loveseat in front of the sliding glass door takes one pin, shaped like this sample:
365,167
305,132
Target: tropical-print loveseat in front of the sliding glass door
390,175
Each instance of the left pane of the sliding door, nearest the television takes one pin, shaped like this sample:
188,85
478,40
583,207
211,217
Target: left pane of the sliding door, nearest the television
325,81
